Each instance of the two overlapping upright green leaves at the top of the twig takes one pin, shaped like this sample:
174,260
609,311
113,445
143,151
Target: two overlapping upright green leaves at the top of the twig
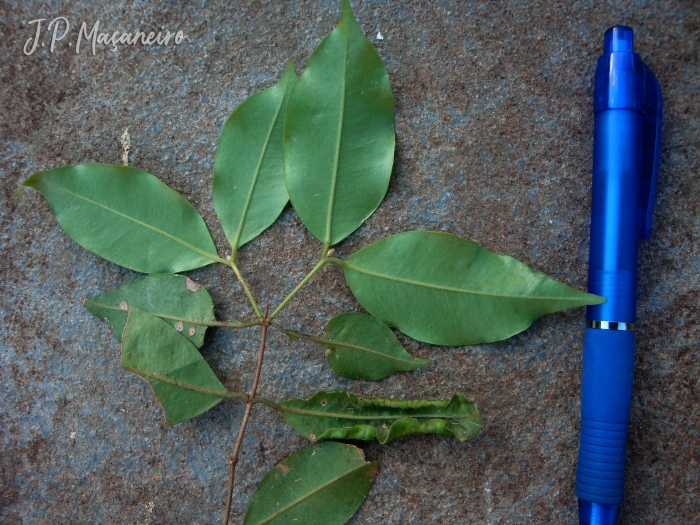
326,141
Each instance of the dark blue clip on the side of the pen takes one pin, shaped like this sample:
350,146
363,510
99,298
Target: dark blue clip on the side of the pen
651,148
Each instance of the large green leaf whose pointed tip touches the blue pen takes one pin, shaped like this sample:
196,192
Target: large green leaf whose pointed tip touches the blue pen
440,289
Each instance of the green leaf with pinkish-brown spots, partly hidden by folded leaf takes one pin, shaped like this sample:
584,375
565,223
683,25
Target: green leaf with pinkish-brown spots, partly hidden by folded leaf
176,298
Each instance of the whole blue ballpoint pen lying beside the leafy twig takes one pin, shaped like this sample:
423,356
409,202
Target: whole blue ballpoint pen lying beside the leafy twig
625,166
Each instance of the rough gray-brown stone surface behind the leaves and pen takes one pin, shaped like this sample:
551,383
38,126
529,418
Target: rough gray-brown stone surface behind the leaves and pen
494,135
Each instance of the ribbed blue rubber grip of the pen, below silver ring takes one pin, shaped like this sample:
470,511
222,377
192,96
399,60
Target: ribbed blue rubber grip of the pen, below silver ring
606,393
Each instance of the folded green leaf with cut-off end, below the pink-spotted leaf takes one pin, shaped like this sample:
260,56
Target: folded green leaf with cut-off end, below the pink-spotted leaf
152,346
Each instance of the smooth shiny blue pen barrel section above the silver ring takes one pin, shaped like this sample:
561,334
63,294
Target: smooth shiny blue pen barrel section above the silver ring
612,271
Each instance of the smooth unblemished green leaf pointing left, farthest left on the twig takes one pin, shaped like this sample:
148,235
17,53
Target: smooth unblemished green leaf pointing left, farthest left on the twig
127,216
